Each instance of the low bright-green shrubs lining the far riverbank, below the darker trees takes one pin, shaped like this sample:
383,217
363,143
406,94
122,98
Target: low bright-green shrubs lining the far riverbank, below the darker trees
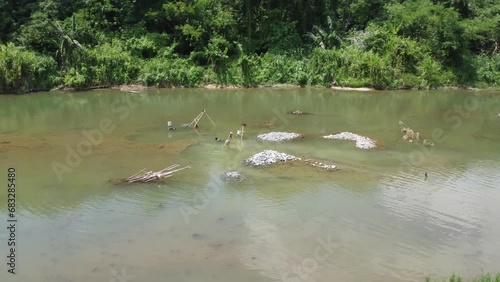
111,64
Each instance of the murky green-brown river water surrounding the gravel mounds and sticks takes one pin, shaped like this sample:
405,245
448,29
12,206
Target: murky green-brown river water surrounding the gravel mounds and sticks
383,220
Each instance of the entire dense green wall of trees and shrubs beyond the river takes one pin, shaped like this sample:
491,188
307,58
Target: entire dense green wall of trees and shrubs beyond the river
397,44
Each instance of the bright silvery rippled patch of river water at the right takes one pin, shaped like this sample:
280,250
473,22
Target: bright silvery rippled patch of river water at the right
413,197
